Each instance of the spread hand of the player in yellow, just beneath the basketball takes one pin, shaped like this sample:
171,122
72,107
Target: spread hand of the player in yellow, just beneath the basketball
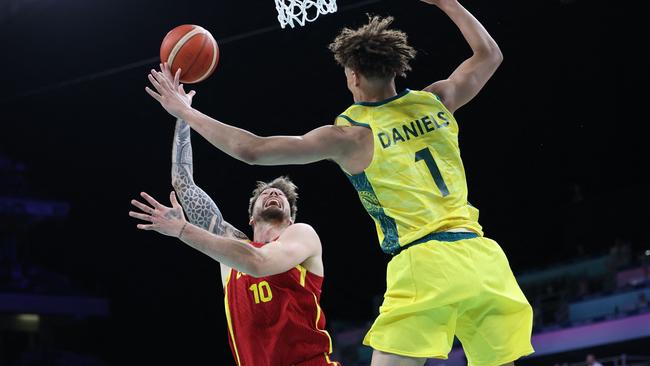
171,94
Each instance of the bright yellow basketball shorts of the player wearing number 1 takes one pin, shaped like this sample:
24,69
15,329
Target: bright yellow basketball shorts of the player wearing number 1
466,288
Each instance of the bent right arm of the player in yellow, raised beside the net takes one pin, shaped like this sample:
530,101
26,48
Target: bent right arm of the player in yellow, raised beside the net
470,77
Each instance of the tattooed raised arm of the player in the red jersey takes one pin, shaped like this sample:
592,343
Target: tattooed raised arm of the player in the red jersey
199,207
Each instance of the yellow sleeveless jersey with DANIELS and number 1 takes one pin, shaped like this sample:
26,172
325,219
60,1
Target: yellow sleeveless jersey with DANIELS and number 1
415,184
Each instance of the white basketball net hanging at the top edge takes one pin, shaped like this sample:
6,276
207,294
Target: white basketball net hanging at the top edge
302,11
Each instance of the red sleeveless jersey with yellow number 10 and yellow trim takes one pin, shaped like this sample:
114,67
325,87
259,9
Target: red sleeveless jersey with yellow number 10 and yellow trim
277,320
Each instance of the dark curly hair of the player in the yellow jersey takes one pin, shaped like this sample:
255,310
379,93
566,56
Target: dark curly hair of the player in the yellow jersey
373,50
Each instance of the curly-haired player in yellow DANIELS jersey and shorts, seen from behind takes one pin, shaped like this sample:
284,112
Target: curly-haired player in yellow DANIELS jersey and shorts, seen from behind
400,151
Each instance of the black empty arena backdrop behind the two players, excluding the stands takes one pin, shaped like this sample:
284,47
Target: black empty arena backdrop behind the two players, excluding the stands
553,146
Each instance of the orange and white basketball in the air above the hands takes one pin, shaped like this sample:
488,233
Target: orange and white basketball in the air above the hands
192,49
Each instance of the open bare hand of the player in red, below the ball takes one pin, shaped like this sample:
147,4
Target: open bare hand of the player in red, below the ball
165,220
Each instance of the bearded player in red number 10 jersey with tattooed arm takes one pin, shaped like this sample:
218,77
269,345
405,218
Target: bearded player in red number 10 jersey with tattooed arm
272,285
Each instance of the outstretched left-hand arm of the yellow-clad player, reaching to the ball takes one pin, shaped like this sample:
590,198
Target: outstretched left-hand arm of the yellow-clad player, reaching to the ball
326,142
